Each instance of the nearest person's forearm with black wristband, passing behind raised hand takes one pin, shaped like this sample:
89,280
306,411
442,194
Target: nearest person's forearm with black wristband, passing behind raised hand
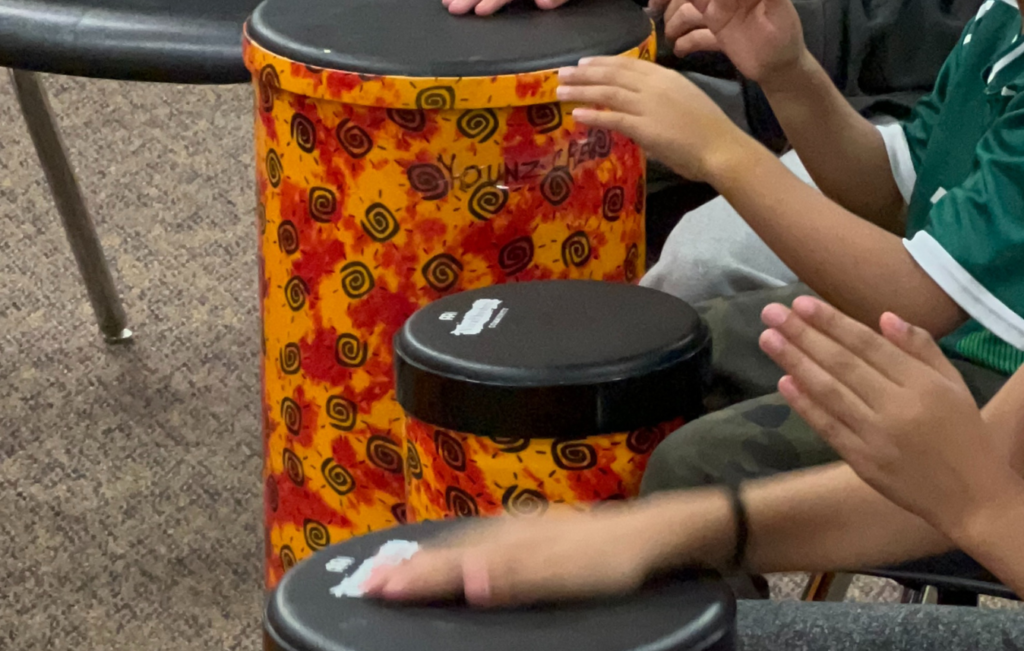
818,520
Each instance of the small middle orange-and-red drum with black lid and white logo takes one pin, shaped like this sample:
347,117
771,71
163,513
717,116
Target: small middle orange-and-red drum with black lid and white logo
522,397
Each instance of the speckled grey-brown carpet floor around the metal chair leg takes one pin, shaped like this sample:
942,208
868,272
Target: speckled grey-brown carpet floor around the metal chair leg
130,478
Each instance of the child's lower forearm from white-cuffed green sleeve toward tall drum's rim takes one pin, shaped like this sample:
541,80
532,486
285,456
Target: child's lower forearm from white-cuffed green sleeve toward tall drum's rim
858,267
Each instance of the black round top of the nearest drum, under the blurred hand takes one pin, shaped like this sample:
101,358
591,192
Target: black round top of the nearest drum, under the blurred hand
672,615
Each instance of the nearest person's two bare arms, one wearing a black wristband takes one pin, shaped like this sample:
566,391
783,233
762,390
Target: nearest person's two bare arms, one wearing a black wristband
926,471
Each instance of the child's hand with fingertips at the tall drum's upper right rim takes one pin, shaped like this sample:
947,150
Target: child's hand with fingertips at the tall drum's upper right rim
660,109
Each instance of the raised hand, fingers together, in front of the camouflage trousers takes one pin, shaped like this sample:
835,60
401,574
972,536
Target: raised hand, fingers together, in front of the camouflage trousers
895,409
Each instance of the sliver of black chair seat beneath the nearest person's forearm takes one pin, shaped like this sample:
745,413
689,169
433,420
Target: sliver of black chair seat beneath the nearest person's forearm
956,573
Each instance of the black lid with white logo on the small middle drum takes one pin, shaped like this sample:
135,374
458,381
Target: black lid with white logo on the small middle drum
552,360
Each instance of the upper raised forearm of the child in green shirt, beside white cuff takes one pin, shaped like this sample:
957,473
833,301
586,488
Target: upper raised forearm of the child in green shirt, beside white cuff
843,152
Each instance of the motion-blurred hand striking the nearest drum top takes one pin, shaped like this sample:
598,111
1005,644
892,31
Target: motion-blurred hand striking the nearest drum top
514,561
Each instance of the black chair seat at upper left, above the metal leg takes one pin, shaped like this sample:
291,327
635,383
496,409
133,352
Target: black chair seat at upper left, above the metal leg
182,41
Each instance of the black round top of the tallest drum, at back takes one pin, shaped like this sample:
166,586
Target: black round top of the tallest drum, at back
419,38
